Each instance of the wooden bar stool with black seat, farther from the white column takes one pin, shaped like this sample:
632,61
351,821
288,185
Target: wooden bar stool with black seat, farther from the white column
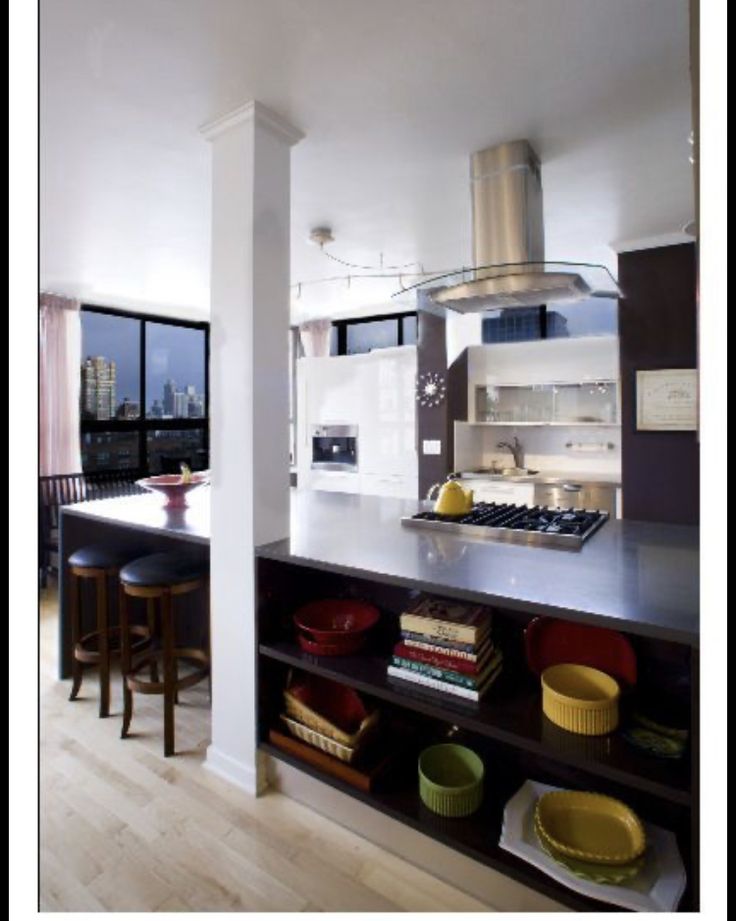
97,647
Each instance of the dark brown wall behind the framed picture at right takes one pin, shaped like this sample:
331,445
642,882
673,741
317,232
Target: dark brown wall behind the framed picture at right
657,329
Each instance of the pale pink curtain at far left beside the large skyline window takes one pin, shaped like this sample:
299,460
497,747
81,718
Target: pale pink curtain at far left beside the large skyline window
60,348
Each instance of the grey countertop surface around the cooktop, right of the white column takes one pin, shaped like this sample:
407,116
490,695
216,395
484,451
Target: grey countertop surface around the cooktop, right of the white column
636,576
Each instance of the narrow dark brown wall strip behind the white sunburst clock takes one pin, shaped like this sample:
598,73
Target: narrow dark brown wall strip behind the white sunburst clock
431,421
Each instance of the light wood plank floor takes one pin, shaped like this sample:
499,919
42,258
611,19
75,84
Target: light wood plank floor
124,829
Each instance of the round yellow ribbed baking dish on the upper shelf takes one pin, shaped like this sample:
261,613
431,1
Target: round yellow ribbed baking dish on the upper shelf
580,699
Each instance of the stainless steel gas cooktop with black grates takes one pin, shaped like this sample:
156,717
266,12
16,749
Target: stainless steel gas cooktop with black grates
522,524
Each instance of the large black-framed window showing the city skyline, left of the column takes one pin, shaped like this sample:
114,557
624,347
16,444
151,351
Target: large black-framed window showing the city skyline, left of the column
144,392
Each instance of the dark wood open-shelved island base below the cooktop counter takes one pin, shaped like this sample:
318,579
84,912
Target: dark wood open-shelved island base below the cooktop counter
507,728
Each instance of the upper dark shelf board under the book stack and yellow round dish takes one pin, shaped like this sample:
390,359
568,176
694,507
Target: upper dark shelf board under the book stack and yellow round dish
511,714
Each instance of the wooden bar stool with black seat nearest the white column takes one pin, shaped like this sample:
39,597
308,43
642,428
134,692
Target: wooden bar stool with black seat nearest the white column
161,577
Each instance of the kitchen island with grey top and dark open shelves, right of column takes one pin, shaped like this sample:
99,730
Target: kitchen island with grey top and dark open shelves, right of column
635,577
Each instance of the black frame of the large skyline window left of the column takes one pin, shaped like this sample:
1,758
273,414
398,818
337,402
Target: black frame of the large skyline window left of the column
145,424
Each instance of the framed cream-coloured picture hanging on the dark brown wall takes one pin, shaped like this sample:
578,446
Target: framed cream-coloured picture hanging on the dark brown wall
667,401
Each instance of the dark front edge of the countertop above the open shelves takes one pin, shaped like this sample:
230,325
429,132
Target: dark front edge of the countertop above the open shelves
274,551
